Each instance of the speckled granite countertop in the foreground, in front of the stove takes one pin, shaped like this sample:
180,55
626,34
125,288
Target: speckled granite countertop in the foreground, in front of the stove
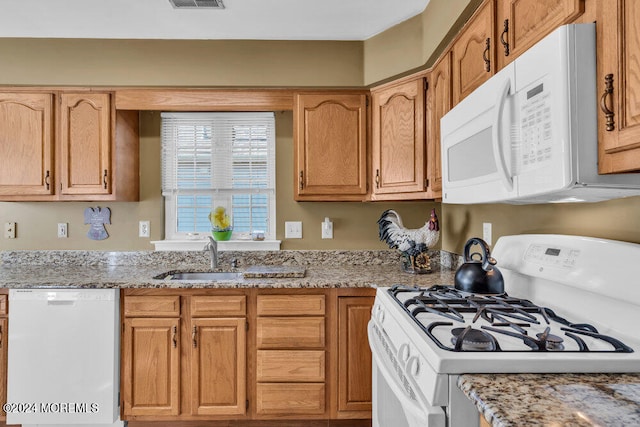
574,400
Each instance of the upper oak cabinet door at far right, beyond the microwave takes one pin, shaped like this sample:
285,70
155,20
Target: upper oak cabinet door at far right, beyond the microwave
618,85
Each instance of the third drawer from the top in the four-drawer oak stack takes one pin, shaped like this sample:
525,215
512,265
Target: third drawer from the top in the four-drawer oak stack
290,365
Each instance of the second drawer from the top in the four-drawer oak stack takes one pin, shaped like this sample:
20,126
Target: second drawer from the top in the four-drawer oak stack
290,332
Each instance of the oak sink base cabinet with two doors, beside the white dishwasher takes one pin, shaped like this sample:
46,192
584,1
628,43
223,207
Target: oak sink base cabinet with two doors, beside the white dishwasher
188,366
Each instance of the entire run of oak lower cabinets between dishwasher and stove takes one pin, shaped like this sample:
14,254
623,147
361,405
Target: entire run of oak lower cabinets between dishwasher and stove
250,354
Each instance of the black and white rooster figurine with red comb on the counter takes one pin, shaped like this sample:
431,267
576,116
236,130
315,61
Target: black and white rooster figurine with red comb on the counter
413,243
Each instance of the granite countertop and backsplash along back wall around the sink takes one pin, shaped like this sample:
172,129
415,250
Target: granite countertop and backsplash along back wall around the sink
322,269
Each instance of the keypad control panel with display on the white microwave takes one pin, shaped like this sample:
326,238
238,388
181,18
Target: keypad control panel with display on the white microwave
535,128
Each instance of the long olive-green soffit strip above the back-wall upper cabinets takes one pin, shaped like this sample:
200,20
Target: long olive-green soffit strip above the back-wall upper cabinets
76,62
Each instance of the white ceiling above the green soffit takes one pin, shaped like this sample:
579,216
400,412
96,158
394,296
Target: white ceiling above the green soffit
241,19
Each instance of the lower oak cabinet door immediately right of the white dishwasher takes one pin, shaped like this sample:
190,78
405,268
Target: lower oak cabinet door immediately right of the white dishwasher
151,359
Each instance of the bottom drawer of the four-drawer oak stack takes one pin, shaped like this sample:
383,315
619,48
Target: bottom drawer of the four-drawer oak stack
290,399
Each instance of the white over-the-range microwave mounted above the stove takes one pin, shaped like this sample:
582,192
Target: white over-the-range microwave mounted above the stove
529,133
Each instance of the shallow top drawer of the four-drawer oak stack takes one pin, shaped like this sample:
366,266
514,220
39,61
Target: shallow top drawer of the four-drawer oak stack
291,305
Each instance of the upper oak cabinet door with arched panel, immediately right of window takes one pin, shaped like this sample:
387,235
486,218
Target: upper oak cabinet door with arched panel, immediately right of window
330,146
